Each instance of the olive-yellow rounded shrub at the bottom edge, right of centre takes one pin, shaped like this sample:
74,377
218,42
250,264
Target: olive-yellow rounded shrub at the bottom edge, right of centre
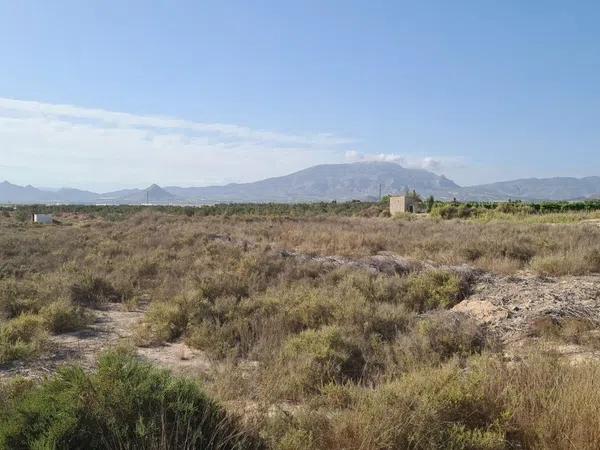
434,408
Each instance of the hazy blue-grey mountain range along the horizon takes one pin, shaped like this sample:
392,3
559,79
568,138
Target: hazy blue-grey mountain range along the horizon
341,182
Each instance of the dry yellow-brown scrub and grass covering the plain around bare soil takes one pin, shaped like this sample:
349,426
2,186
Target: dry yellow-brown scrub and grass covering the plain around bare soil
320,356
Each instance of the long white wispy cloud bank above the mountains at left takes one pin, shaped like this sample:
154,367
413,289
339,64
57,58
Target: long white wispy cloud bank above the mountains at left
69,145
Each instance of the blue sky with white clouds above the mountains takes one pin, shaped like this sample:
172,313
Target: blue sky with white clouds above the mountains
109,94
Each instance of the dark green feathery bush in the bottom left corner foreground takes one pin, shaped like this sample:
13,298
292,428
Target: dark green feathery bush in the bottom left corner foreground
127,404
